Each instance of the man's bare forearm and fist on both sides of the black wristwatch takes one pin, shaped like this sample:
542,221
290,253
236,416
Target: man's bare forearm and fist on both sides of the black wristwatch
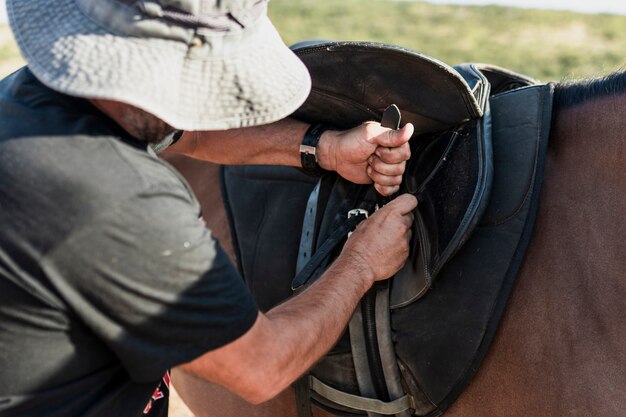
365,154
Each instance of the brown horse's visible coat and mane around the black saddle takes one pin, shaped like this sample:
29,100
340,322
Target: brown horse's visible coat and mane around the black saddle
561,346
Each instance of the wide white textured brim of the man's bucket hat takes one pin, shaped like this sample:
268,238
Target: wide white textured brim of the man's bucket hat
256,82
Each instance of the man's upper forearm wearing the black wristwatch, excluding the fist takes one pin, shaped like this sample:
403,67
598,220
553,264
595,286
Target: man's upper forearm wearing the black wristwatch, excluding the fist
273,144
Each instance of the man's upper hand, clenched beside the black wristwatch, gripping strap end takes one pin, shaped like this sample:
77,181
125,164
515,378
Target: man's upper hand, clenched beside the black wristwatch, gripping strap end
368,153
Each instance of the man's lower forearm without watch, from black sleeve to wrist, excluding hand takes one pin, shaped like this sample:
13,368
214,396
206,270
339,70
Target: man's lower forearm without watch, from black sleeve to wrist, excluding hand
290,338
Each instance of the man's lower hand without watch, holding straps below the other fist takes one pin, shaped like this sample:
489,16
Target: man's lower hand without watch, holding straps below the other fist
381,243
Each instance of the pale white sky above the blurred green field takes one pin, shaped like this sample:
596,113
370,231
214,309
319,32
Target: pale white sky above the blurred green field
586,6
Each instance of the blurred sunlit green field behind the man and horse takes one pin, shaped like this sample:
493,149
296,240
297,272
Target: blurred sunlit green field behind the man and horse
549,45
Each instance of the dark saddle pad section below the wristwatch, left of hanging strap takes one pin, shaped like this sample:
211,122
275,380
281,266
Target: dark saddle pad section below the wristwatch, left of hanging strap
272,205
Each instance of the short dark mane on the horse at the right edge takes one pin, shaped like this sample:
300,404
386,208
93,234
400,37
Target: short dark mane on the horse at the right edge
570,93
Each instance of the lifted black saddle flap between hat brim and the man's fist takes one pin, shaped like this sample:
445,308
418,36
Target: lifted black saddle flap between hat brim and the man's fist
358,80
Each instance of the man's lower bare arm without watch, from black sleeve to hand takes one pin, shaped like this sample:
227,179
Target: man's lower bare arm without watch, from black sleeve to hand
290,338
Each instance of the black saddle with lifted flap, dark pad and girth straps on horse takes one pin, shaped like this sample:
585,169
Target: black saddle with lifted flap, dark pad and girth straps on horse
477,156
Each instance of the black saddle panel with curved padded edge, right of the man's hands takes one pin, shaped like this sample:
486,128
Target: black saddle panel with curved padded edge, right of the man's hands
451,175
